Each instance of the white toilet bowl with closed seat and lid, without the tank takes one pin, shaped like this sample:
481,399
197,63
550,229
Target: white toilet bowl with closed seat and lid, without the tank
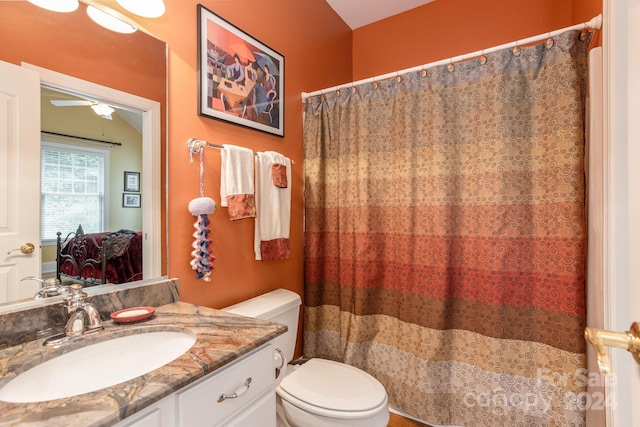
324,393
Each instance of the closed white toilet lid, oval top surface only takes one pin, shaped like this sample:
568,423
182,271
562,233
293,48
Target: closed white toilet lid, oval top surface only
335,386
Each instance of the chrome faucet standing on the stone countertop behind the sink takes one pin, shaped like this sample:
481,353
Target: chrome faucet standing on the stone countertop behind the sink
82,317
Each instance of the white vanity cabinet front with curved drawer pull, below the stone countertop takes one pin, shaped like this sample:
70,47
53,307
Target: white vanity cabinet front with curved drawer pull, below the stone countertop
240,394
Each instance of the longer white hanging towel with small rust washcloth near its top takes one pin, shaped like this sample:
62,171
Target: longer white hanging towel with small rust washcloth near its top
273,220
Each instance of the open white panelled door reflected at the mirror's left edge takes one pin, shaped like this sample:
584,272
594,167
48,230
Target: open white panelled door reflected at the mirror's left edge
19,181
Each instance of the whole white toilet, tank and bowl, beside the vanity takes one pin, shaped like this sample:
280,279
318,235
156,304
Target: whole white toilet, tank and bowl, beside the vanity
318,392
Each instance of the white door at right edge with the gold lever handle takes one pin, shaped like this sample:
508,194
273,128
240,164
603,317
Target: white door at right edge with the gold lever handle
621,229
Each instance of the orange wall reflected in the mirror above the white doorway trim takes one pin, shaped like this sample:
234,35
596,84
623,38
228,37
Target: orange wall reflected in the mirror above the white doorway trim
72,44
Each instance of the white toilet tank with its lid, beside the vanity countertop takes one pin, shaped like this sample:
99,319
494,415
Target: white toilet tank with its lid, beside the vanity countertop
281,306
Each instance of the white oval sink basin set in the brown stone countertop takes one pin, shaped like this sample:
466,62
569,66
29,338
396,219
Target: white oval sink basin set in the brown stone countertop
97,366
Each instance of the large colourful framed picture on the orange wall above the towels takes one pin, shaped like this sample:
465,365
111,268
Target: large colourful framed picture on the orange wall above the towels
240,80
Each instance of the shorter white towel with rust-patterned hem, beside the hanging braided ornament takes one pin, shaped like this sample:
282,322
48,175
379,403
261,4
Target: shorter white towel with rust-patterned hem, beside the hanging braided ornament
237,190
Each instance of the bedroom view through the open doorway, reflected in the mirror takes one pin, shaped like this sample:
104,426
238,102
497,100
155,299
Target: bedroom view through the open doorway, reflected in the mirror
90,213
